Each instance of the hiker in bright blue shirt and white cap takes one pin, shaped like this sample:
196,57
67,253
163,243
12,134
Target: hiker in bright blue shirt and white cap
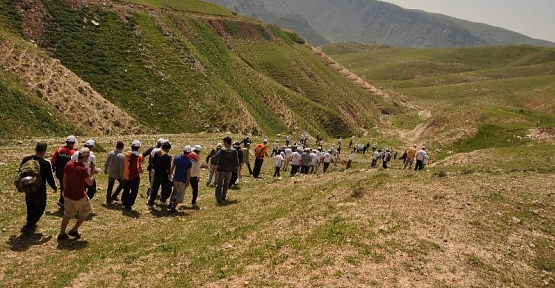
181,171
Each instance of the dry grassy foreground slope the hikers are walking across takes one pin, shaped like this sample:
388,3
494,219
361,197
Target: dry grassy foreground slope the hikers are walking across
348,229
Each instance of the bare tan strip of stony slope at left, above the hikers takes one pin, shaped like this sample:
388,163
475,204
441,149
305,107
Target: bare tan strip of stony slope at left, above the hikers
65,91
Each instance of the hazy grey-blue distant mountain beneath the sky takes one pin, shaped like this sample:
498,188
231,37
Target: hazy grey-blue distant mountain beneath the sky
372,21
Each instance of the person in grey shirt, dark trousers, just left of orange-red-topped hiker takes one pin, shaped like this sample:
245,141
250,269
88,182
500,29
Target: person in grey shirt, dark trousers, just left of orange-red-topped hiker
115,163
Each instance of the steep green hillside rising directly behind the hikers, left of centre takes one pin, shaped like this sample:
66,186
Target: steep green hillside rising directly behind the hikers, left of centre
191,66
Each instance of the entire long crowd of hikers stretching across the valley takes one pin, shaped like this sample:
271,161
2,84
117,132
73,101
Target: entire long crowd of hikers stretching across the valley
168,175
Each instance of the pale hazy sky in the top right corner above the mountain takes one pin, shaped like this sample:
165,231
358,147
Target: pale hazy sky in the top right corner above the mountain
534,18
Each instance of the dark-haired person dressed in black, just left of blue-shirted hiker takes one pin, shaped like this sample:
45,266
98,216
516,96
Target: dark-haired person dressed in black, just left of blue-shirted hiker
161,163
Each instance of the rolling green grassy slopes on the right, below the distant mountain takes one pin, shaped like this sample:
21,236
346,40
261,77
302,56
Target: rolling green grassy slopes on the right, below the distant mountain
502,92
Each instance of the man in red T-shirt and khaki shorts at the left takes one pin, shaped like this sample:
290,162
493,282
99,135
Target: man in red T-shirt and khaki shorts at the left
76,178
